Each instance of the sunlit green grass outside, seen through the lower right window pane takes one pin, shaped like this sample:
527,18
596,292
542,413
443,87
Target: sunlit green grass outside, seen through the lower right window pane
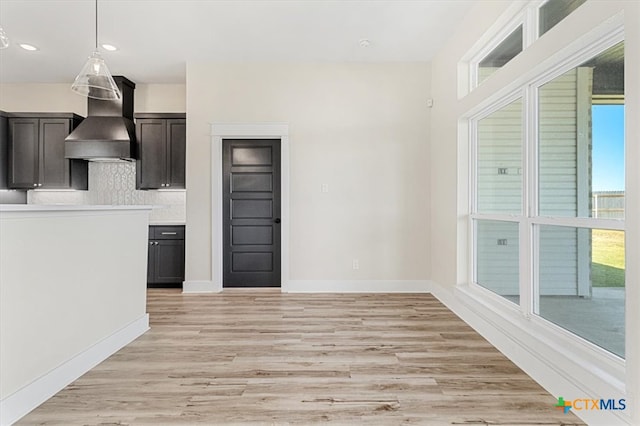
607,267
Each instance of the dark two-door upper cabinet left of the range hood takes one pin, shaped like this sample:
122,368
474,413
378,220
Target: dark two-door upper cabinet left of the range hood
36,152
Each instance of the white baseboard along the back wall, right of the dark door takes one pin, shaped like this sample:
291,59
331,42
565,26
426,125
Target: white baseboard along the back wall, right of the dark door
357,286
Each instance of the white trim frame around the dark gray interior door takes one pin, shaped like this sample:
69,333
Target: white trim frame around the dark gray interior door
220,131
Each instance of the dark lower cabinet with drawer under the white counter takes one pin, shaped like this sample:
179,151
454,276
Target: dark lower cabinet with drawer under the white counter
166,256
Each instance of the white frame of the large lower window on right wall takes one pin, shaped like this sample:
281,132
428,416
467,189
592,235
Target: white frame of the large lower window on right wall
529,220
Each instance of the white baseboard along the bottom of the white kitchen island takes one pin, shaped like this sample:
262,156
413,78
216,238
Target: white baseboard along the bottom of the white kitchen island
20,403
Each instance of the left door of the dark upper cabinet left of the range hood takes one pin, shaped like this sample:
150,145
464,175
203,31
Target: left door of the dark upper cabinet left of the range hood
23,153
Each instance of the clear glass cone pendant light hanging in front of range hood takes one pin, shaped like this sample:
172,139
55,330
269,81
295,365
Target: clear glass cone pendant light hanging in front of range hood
95,80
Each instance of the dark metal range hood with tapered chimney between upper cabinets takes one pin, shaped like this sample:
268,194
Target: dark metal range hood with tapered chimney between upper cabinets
108,132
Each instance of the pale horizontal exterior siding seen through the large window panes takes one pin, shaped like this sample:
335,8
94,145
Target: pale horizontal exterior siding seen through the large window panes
564,130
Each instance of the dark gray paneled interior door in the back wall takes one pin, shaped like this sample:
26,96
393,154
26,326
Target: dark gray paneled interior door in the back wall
251,210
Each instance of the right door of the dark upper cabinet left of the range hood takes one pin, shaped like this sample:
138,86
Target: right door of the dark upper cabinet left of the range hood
54,168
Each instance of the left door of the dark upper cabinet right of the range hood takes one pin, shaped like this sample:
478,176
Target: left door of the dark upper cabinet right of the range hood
152,163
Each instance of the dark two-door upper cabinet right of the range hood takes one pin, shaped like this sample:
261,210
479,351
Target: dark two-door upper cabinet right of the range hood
161,140
